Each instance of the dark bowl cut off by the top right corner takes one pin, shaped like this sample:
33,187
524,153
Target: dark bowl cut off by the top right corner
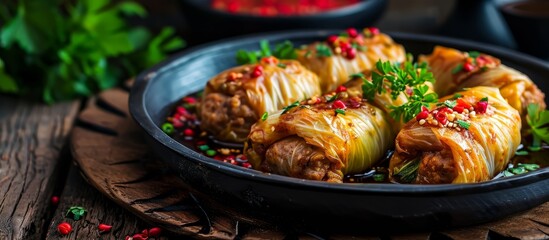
529,24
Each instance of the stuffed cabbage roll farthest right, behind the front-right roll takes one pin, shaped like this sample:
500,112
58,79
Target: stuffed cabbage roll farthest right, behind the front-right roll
455,70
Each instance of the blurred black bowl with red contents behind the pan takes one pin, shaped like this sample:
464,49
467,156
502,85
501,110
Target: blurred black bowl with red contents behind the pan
208,24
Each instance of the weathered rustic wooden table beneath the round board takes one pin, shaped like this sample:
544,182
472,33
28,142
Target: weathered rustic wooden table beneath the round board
36,164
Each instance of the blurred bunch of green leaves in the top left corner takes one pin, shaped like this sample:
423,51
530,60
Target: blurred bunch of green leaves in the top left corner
62,50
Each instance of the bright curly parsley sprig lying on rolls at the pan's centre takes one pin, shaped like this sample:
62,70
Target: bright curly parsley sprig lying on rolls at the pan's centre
397,79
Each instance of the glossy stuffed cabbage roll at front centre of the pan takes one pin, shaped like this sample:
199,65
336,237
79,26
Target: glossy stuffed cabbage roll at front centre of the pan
322,138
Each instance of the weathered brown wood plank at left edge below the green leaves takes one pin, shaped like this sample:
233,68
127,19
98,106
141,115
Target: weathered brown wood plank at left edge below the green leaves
31,139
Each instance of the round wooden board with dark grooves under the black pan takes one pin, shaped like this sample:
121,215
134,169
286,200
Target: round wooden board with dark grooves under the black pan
112,155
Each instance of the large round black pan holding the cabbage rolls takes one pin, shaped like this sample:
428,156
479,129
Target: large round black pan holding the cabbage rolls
319,205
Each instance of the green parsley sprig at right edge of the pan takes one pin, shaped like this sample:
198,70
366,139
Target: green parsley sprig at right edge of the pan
538,119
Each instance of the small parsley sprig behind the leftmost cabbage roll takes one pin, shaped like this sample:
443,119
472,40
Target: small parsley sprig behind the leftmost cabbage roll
283,50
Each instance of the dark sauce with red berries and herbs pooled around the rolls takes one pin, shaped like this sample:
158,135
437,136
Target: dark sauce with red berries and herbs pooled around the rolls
187,131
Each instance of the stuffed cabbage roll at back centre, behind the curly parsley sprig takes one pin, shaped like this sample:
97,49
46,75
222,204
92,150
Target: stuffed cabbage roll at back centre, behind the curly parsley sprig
340,56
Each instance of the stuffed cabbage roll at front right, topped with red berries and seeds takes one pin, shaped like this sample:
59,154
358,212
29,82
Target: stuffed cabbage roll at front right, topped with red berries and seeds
469,138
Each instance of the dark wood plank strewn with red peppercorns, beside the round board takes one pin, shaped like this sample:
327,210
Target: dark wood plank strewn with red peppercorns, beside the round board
78,192
